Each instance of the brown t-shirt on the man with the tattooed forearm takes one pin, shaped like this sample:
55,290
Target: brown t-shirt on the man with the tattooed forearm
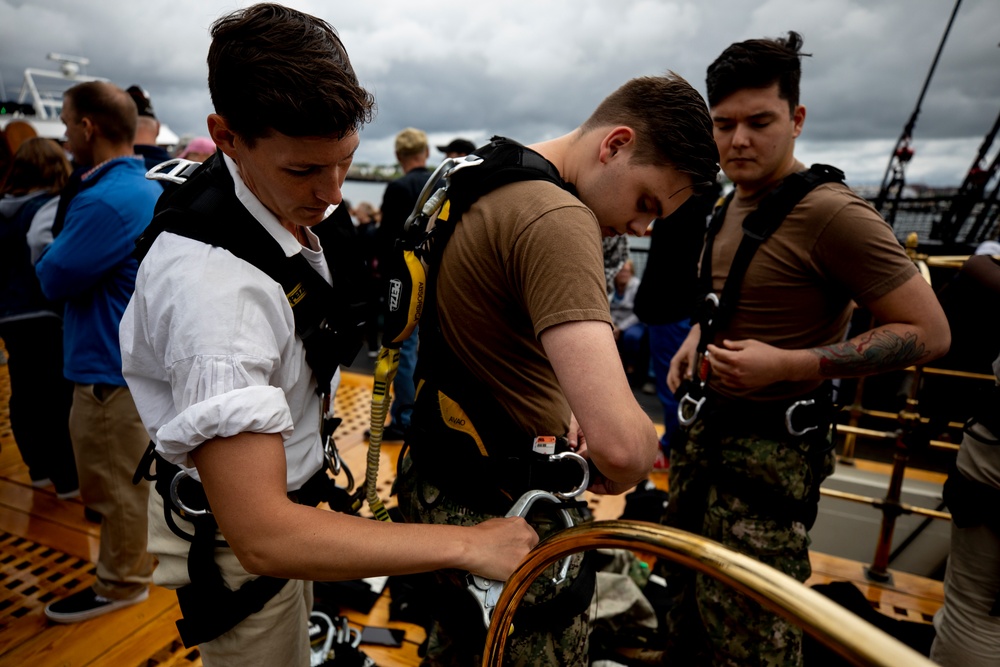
832,248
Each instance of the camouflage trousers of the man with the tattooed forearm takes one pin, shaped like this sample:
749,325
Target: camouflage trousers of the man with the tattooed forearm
756,496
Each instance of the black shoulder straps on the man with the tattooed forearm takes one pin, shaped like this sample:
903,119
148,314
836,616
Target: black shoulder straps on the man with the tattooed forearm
757,227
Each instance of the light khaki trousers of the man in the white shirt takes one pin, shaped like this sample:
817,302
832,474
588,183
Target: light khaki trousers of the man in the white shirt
276,635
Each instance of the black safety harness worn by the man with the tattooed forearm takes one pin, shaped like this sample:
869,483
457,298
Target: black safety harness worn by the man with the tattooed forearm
807,418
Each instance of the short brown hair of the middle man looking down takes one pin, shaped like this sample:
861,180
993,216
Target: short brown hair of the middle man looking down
671,121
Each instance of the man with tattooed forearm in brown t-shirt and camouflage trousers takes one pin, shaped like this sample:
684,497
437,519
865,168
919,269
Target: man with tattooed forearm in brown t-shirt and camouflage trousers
742,477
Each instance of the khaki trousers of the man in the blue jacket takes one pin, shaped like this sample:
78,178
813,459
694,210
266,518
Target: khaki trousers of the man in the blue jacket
108,441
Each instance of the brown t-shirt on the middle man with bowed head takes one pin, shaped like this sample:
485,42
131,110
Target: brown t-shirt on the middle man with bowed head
524,258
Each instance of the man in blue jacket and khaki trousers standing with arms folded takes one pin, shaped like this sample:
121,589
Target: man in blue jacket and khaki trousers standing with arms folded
90,268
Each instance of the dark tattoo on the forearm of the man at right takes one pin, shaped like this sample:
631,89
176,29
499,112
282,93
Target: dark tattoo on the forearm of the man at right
873,352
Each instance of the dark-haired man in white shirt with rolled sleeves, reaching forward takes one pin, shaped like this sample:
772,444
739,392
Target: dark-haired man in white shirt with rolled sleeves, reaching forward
221,377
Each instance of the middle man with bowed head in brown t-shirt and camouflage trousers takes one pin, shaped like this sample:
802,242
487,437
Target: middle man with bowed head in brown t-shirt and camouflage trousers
522,310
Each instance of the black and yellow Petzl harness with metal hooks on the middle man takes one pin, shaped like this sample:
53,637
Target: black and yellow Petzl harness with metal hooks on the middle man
460,434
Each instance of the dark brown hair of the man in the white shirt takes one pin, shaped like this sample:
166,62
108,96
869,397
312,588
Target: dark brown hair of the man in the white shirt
276,69
